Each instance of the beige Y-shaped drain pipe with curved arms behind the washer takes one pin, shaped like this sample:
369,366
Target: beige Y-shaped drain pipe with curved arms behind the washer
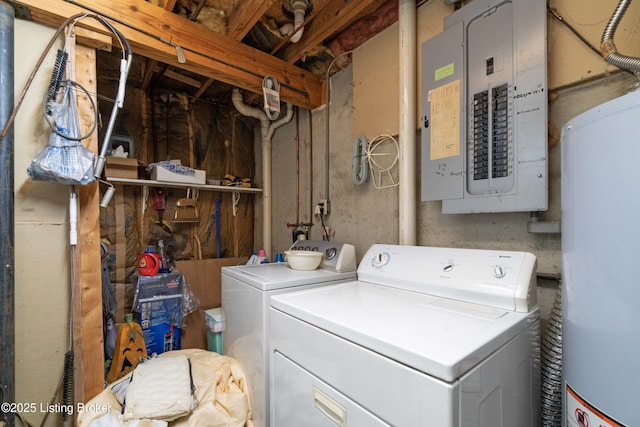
267,128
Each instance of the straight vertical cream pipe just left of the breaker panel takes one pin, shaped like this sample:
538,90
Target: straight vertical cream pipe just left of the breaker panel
407,123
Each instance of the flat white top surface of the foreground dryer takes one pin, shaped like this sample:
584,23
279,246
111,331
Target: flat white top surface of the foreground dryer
438,336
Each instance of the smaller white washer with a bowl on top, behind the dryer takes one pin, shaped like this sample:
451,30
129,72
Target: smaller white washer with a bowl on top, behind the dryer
246,290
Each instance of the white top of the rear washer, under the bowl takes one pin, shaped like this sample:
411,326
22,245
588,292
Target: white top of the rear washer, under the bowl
267,277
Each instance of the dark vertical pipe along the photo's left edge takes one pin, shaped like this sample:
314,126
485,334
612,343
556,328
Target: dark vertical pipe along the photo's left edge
7,227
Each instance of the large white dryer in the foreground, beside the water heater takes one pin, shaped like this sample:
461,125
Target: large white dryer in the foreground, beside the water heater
425,336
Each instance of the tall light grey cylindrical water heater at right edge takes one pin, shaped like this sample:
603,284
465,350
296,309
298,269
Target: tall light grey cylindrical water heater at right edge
601,253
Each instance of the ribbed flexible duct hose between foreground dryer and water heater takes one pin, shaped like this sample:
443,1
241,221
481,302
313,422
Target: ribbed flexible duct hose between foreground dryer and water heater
551,367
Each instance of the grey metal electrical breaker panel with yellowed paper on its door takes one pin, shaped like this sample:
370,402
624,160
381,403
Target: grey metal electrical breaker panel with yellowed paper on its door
484,109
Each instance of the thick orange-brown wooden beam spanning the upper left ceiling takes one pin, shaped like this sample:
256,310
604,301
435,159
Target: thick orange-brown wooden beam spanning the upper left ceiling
209,54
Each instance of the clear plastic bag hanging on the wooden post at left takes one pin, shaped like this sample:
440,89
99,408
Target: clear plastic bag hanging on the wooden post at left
64,160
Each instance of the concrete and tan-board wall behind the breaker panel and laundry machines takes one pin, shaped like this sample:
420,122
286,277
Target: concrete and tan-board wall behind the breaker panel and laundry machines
364,101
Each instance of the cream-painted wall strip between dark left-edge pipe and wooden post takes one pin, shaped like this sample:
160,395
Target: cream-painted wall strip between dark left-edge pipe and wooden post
42,272
